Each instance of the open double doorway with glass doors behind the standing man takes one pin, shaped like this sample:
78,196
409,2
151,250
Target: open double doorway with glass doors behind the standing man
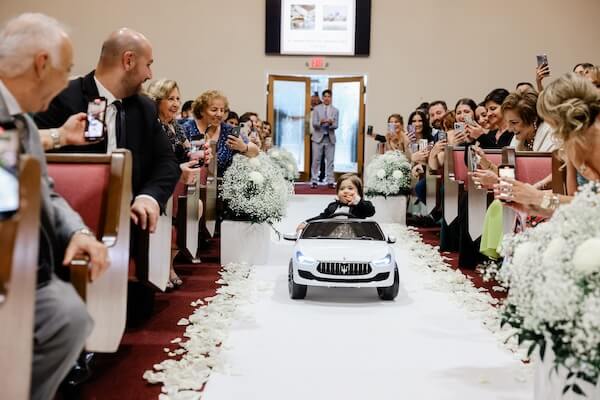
289,112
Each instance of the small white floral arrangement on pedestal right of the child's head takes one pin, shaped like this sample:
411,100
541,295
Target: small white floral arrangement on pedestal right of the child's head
388,175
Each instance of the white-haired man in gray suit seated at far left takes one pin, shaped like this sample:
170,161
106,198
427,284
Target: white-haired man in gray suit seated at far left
36,57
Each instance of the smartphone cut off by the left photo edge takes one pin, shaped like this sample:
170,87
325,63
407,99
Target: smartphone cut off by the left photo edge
9,169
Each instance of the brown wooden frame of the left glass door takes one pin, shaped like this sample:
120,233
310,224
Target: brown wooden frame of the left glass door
304,176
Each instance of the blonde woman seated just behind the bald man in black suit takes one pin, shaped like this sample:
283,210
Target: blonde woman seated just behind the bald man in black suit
165,93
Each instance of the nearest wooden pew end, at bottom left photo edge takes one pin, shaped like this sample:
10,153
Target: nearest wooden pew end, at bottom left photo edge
19,239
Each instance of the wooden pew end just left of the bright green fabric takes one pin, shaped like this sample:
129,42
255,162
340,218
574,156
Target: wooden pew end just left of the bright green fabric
478,197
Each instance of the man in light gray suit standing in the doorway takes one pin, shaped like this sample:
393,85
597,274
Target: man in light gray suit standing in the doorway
324,122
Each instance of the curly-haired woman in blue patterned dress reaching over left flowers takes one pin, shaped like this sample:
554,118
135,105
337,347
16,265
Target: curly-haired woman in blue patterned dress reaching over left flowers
208,110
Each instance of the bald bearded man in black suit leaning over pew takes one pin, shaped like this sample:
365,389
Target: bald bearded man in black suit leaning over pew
131,120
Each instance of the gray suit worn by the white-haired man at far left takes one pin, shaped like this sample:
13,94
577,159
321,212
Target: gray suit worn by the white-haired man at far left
61,323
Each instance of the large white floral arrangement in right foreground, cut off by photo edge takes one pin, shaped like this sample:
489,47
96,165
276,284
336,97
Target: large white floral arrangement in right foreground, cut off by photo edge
553,272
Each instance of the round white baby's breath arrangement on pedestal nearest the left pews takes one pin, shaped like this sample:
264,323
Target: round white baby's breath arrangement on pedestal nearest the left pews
254,190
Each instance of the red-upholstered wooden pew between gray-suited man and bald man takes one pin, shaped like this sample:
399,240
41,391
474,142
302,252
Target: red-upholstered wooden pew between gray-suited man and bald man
98,187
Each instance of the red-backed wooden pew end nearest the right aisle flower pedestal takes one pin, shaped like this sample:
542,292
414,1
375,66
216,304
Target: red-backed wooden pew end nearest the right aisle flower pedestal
455,176
